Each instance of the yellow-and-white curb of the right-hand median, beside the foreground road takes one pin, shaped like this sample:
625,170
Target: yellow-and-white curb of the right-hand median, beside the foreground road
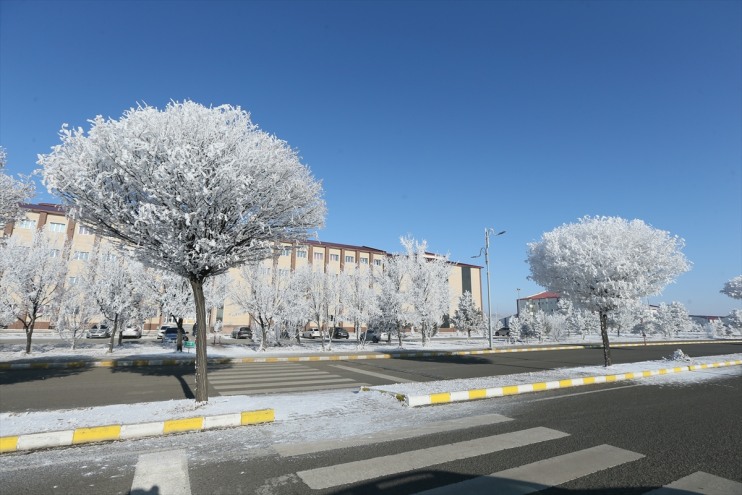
486,393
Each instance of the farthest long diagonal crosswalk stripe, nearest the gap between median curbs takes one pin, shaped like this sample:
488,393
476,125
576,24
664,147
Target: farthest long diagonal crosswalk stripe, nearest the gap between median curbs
287,450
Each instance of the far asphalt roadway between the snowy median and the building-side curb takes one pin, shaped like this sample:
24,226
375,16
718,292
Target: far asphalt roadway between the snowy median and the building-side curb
44,389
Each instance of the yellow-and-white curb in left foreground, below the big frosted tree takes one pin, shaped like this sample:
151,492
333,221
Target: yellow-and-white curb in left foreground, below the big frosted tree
35,441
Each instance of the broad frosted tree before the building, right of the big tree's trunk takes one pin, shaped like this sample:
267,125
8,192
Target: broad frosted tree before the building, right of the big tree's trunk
262,296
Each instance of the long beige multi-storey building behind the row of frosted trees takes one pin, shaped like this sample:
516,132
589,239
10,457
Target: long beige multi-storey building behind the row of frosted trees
326,256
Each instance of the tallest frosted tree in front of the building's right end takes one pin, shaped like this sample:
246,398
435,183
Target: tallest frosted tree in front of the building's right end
426,289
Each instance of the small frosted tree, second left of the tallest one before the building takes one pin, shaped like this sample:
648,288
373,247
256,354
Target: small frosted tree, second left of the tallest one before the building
359,299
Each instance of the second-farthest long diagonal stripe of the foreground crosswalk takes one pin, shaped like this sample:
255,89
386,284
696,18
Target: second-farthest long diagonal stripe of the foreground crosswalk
353,472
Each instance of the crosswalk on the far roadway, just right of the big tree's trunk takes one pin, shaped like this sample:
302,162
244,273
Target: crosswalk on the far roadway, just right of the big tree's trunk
243,379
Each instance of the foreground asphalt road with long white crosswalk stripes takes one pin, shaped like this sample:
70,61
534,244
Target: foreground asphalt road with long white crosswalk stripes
649,435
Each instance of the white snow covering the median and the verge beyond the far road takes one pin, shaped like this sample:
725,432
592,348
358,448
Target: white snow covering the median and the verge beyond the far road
327,404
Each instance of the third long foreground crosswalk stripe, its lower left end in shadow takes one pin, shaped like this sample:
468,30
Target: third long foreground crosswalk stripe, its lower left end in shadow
539,475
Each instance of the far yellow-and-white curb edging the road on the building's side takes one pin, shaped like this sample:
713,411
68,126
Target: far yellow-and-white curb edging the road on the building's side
132,363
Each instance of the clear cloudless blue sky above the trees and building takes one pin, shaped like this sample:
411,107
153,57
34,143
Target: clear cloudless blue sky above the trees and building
434,119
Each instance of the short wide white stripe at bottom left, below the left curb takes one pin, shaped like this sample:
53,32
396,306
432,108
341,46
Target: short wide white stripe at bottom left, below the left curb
164,473
